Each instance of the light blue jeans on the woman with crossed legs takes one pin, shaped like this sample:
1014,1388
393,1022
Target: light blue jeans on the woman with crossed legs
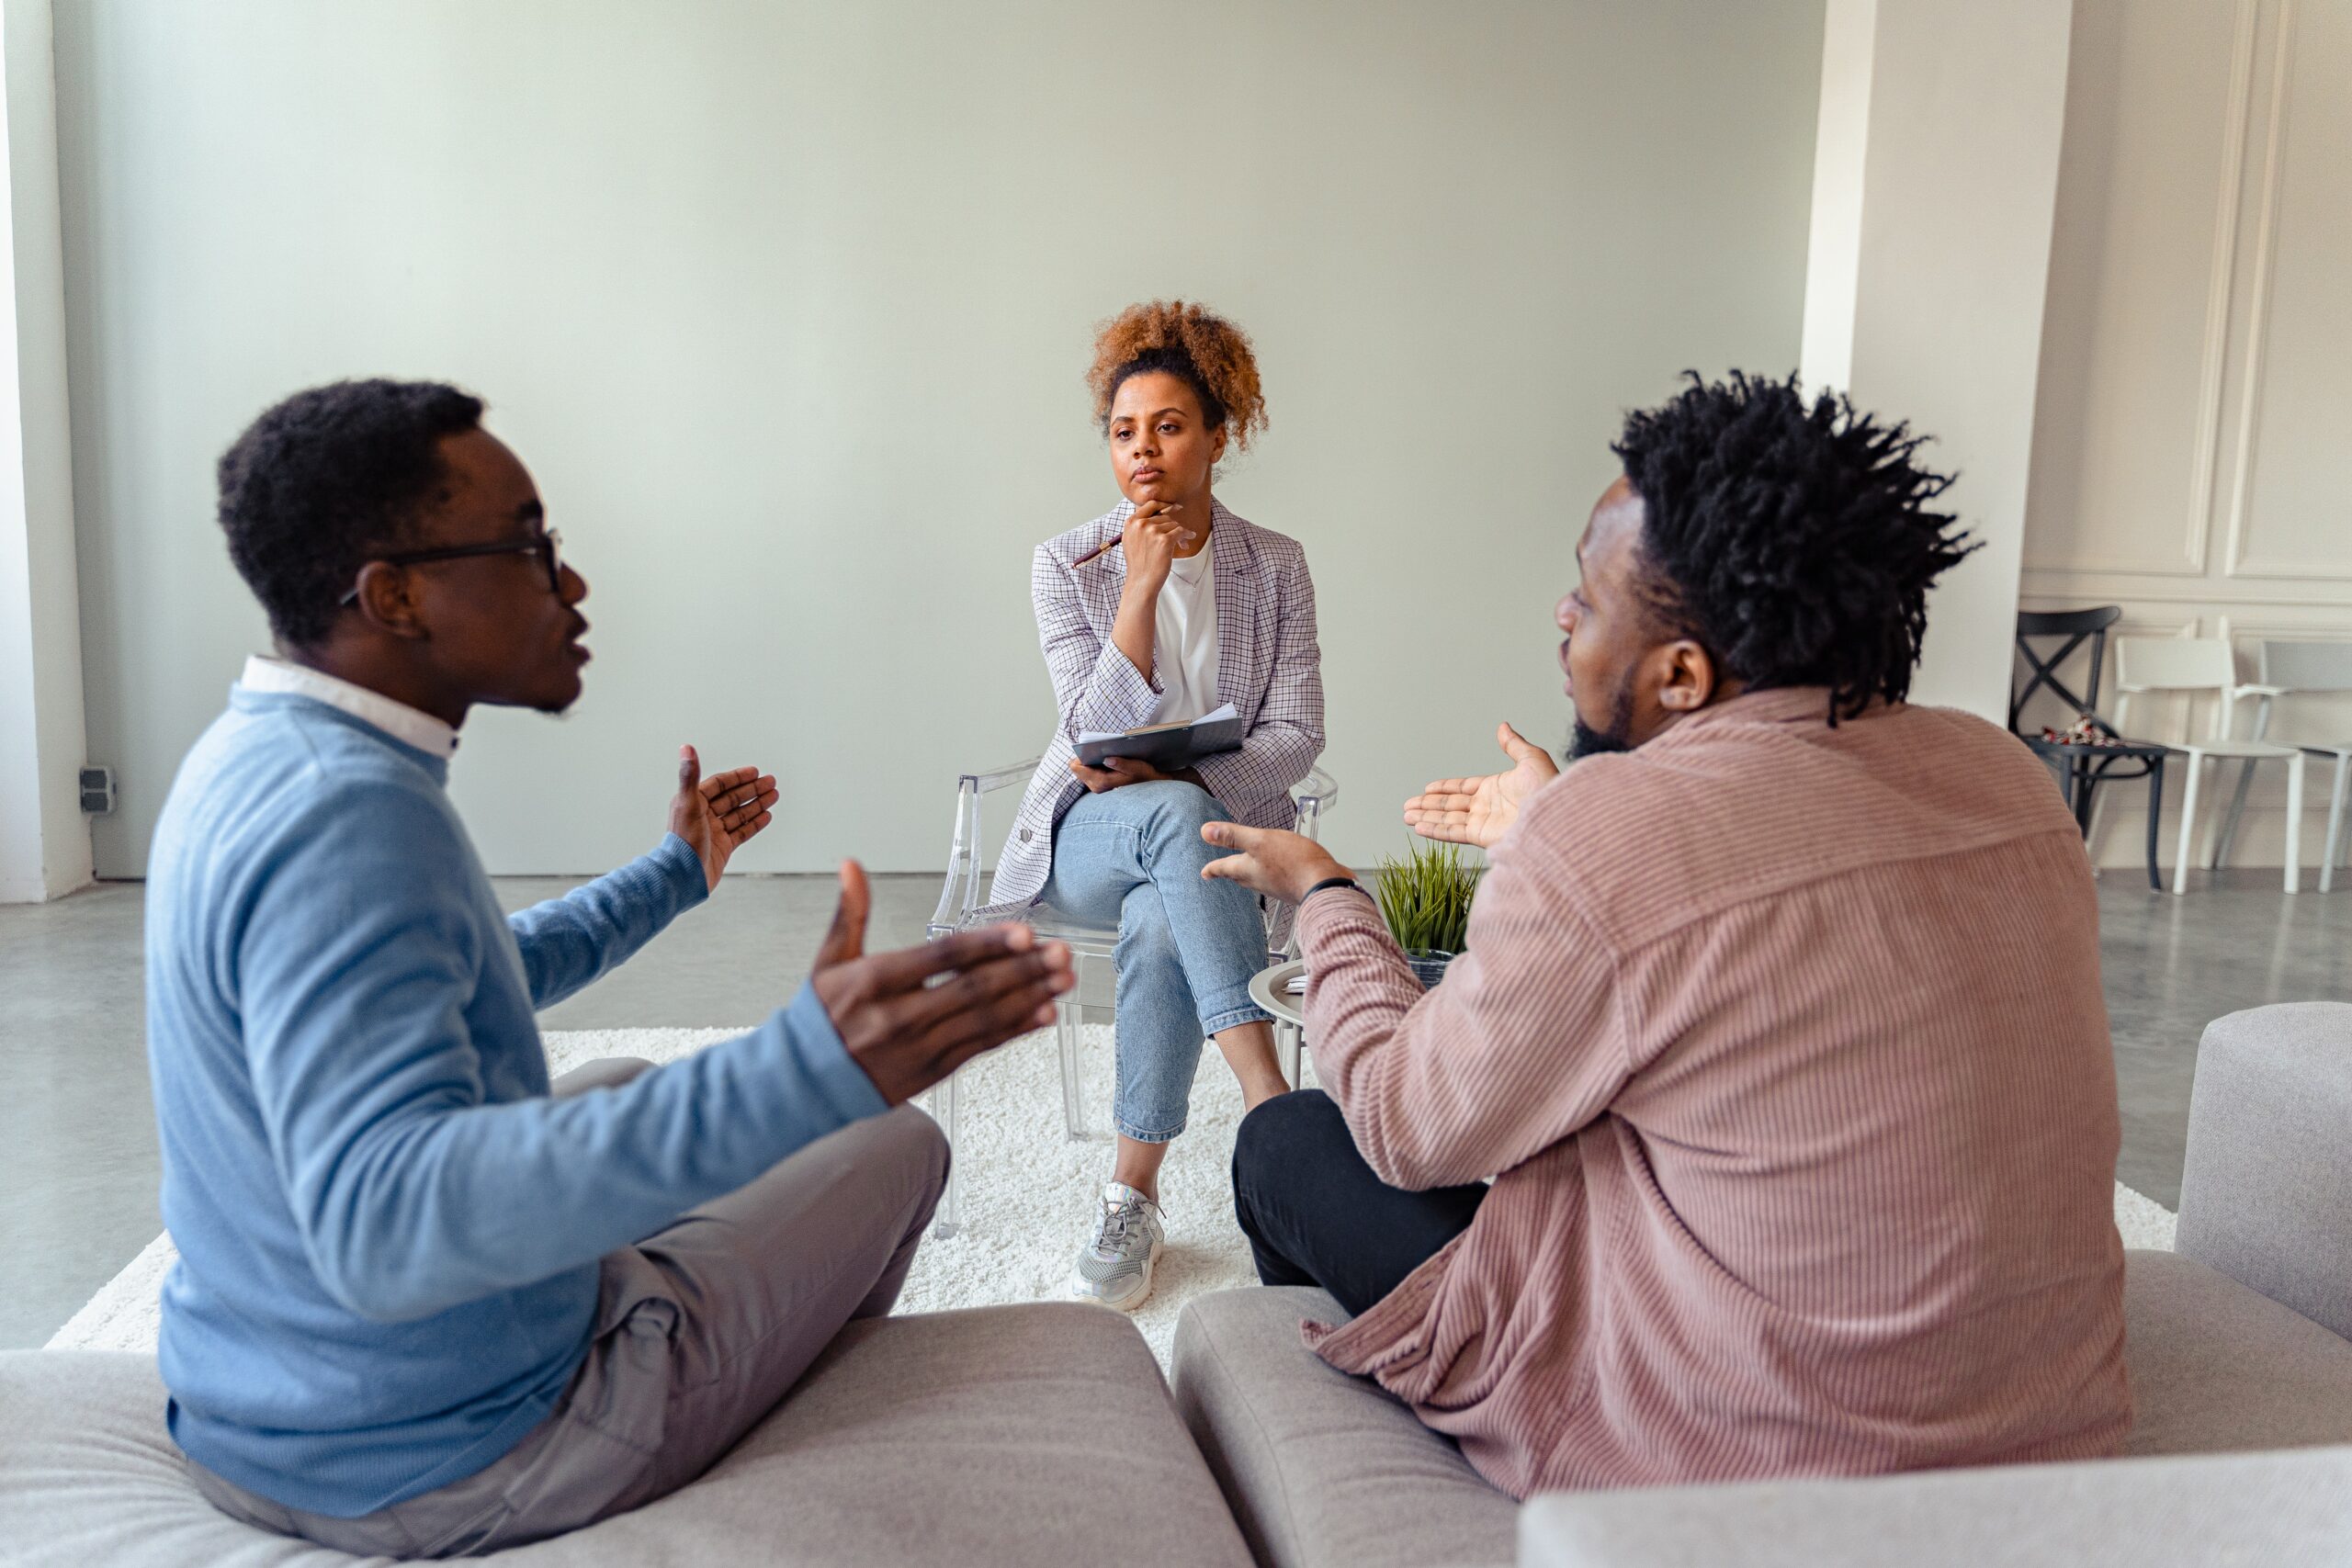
1187,953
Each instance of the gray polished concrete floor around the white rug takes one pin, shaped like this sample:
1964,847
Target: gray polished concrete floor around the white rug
79,1160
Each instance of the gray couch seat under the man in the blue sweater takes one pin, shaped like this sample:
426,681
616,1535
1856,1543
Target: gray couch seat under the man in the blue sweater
956,1438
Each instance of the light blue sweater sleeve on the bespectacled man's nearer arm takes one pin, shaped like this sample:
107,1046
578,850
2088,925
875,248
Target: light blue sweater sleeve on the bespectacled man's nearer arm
356,960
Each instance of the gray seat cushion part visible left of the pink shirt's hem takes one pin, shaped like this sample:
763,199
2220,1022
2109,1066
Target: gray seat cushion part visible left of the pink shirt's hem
1323,1468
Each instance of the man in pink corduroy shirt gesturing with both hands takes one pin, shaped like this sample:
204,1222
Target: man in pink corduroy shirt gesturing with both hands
1779,1026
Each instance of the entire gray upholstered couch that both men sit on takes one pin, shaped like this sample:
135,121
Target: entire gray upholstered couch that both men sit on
1045,1433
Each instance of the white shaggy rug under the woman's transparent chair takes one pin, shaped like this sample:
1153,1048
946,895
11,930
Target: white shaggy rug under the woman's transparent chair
1029,1193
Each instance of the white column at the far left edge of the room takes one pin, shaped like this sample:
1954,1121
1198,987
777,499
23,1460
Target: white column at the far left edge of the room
44,836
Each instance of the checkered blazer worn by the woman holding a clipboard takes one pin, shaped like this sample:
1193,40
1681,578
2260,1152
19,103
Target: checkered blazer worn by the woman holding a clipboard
1267,666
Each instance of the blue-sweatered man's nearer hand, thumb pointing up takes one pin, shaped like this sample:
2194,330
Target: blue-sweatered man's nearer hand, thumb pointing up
914,1017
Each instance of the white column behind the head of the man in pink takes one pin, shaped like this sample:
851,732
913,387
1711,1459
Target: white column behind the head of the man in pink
1935,185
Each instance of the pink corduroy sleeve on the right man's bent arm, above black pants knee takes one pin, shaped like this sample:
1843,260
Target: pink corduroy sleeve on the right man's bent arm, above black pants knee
1518,1050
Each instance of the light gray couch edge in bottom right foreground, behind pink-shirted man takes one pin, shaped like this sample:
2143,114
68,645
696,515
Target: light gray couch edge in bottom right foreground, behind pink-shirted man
2179,1513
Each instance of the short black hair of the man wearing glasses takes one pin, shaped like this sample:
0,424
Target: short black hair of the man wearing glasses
330,481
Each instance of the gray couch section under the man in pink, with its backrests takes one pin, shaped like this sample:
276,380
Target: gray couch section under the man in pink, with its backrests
2238,1351
